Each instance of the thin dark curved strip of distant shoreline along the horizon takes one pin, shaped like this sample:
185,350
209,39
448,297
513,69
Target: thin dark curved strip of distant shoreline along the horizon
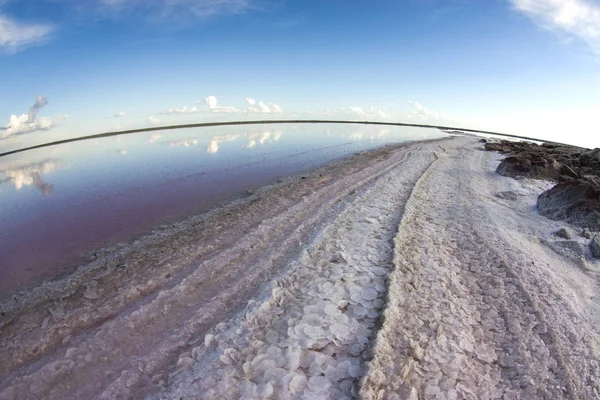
264,122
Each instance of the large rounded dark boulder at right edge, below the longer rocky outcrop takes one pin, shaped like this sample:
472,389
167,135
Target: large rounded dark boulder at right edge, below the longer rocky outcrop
576,201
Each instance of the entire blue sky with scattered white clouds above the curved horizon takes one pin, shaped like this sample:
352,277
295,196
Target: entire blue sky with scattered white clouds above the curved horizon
76,67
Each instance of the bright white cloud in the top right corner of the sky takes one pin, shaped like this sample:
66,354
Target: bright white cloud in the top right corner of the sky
579,18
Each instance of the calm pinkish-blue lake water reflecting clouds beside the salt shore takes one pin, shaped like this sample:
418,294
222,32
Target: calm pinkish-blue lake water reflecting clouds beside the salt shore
59,202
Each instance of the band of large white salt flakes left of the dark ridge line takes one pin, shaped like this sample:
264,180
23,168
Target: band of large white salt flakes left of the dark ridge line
309,338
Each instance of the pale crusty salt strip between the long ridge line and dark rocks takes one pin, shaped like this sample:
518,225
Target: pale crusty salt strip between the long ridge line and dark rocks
475,308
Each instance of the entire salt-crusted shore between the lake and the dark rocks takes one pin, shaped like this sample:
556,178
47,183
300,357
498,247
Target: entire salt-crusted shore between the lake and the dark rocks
280,296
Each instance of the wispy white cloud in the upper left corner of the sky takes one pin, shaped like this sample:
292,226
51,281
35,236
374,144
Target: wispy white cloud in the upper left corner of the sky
14,35
